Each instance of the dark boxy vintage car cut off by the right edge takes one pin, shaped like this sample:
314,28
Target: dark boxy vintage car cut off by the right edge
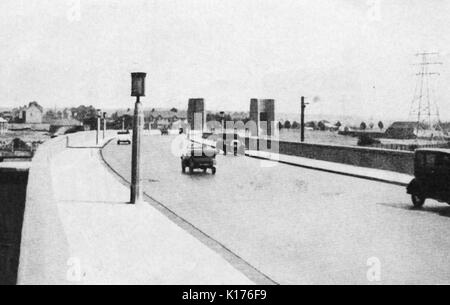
432,176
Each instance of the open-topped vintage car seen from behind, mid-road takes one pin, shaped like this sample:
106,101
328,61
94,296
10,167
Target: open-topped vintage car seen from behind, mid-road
199,158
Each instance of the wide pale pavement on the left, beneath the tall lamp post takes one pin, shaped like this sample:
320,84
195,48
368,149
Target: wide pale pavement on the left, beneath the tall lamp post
79,229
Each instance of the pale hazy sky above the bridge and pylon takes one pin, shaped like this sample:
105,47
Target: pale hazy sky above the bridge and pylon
348,57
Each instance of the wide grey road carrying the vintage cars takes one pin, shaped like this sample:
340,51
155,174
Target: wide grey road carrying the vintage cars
300,226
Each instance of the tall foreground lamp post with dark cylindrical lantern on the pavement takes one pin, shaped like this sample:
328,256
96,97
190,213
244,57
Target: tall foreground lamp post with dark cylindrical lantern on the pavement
137,90
